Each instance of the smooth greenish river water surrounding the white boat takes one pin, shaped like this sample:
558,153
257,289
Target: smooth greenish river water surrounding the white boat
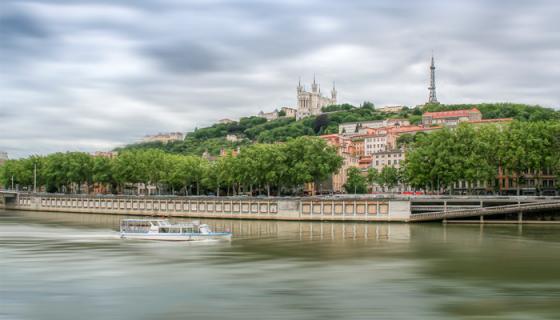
75,266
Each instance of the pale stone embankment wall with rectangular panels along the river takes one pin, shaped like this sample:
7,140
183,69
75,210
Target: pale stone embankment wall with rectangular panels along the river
222,207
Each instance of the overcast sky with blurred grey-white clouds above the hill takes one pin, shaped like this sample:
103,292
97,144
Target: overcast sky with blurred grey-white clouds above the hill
91,75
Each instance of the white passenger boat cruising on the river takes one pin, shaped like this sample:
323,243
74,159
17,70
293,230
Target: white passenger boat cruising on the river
160,229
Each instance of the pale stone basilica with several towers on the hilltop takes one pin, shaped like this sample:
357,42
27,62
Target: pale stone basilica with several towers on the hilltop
310,103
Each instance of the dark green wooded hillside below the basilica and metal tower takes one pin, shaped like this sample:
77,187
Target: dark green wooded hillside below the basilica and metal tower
255,129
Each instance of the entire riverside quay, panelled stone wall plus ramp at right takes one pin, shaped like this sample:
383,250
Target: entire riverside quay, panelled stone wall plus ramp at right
388,208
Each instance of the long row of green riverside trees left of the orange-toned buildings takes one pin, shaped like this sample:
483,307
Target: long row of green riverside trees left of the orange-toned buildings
257,169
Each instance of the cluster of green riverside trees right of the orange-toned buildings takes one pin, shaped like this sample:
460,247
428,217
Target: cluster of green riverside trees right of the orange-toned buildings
438,160
